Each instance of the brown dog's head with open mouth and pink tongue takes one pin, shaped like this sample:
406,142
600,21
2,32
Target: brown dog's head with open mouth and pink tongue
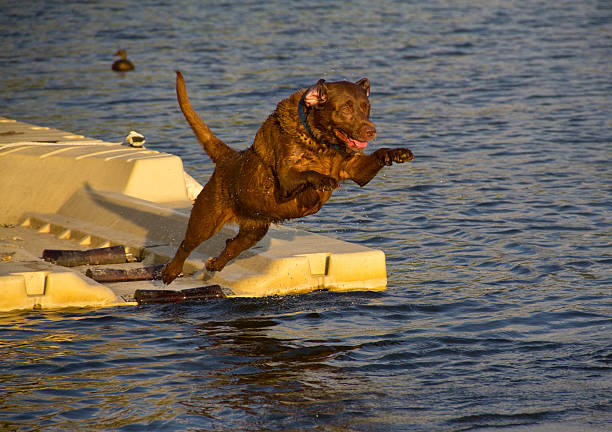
338,113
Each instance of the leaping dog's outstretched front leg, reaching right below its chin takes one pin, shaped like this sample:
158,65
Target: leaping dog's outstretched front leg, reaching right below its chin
363,168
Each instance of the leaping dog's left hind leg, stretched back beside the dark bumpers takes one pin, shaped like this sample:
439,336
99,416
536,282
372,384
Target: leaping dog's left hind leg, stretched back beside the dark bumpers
205,221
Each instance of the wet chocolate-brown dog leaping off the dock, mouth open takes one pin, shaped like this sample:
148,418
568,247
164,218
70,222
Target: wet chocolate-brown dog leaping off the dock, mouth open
312,141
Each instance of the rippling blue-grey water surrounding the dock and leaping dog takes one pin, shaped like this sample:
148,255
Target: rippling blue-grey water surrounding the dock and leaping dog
498,310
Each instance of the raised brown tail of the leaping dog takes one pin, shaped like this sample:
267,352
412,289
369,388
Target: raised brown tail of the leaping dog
213,146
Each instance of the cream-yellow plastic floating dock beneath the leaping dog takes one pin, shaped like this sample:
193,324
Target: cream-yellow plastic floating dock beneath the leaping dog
59,190
